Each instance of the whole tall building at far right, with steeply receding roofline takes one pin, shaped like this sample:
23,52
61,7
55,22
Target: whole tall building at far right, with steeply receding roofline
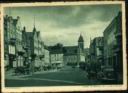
113,47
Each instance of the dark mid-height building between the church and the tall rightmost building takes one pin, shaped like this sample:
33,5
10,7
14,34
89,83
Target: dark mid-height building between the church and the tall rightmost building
96,53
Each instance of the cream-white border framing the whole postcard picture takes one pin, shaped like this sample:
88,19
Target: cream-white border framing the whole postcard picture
67,88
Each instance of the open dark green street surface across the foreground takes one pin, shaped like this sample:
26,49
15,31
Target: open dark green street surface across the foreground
62,77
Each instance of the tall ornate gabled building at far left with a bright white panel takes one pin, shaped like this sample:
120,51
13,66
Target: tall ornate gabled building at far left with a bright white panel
13,52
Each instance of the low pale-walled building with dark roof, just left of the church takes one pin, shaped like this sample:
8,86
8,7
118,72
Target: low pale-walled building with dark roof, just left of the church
56,55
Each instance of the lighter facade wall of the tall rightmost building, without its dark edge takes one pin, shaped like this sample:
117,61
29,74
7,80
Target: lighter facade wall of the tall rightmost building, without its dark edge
110,41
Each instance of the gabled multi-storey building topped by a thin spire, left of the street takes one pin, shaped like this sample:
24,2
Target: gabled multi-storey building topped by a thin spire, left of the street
35,49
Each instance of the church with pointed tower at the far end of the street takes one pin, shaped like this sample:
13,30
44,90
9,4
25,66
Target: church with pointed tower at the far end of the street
74,55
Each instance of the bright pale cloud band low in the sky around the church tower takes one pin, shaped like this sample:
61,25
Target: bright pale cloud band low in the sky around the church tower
52,35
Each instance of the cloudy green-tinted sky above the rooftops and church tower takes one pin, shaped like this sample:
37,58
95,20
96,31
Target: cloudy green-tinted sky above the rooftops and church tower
64,24
